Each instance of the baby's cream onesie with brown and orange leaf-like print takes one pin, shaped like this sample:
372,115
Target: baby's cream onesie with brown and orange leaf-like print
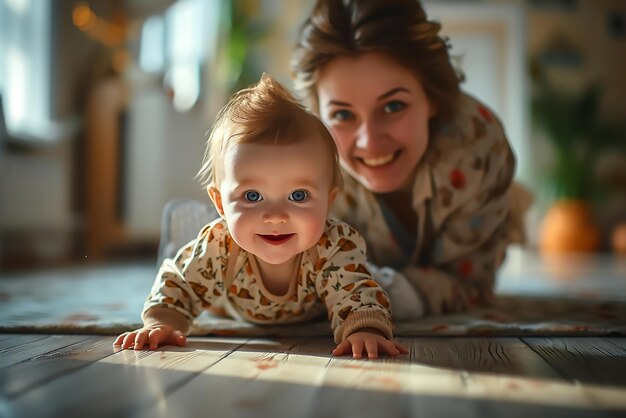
213,272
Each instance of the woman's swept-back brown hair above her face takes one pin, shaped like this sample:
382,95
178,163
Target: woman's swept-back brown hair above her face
396,28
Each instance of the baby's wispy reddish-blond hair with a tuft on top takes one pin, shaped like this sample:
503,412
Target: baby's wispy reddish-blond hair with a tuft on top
264,113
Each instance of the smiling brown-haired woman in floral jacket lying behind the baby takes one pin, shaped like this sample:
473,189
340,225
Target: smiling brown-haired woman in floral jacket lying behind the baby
429,169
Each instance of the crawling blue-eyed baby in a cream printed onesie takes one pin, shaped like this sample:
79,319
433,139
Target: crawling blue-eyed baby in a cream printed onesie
271,170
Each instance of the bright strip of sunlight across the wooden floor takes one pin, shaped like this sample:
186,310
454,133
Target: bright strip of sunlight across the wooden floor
260,363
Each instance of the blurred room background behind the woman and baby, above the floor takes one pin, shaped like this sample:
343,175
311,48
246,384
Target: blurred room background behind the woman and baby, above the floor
105,106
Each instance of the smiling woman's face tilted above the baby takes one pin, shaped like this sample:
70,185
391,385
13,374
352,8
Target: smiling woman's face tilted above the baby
378,113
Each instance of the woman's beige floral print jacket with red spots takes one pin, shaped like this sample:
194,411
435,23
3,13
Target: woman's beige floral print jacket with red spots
468,211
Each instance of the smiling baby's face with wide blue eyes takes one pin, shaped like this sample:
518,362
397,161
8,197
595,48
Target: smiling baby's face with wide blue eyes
275,198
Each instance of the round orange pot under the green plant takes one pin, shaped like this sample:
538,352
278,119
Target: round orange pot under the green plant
568,226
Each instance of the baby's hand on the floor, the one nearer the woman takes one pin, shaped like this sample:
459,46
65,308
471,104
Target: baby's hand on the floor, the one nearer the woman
372,341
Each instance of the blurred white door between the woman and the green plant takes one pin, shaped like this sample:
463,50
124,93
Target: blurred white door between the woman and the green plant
489,40
